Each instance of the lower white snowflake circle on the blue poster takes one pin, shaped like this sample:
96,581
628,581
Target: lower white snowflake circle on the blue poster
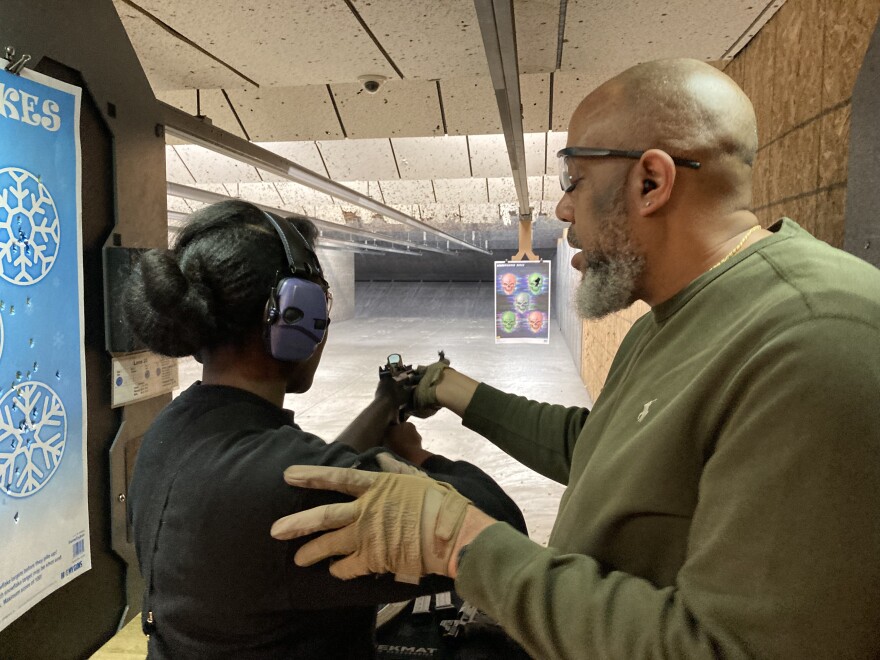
33,434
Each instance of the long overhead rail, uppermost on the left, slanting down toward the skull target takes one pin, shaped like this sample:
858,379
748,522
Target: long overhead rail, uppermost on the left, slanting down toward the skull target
192,129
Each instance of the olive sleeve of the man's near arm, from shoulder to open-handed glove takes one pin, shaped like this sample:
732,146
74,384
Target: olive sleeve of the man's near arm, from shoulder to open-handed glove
782,553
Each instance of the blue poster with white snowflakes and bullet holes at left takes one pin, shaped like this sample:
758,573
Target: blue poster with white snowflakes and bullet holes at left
44,527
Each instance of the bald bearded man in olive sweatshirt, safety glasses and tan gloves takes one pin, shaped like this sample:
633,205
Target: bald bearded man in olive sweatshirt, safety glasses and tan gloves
723,494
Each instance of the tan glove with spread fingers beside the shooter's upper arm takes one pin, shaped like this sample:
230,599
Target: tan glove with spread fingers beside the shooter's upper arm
399,523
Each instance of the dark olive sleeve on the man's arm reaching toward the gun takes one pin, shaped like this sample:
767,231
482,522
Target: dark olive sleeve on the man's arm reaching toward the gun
539,435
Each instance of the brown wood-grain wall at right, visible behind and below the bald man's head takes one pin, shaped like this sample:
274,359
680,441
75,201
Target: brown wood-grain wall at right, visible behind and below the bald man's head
799,72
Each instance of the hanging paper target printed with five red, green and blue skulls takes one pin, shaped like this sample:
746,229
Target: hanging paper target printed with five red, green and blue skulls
522,302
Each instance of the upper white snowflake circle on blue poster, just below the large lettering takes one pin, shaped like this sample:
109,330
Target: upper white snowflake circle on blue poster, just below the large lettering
30,231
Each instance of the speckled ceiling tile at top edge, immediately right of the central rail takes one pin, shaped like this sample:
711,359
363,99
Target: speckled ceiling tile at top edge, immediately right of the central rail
537,29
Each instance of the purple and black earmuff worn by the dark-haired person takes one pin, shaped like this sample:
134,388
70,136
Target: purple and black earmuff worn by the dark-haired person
296,312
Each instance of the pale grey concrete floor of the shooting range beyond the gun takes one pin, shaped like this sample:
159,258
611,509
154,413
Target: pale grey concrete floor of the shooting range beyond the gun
348,374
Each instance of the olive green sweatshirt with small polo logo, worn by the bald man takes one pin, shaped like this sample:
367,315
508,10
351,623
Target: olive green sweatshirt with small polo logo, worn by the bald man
723,495
